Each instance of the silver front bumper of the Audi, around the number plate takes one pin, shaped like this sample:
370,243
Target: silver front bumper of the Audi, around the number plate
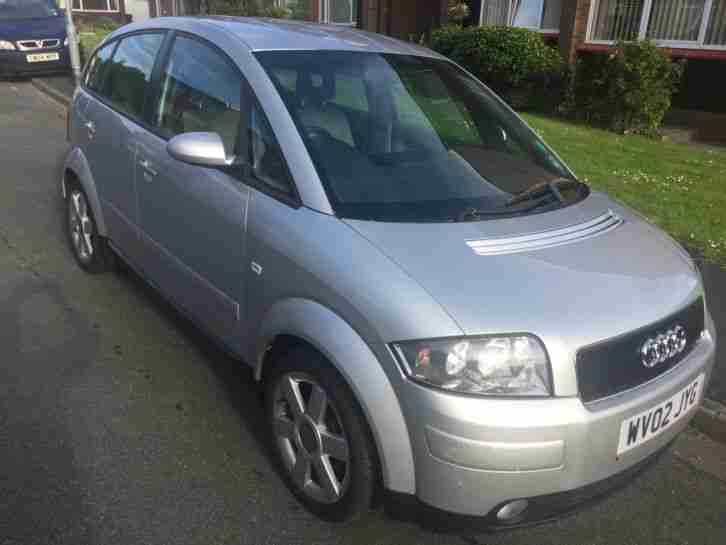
474,455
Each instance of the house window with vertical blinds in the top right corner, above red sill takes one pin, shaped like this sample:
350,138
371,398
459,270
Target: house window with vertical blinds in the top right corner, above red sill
674,23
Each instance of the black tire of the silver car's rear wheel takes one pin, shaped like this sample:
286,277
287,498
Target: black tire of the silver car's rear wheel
98,257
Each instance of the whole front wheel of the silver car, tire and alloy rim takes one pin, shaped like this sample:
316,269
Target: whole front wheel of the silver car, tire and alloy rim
320,437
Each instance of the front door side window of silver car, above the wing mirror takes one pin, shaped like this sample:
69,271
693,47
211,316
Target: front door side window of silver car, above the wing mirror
200,92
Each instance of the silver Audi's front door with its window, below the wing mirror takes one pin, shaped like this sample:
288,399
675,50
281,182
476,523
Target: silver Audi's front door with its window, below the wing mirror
193,217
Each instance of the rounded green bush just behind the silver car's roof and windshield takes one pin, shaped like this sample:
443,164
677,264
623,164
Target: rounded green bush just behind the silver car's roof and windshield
514,62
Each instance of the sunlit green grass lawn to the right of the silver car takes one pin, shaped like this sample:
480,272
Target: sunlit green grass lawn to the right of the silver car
680,187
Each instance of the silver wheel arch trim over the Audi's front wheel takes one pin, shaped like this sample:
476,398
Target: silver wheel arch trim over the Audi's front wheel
311,323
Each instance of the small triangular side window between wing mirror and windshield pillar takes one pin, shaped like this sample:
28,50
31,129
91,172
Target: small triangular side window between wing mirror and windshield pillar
268,164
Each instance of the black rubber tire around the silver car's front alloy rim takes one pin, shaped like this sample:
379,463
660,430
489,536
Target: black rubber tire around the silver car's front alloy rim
361,472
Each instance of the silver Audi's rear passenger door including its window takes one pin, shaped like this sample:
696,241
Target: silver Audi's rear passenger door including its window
112,120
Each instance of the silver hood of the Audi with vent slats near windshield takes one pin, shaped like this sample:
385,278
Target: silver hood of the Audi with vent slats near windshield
551,278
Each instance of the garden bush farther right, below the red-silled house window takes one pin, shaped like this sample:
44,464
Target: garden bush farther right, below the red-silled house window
629,90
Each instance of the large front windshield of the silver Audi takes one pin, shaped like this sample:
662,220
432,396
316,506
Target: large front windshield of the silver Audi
408,138
